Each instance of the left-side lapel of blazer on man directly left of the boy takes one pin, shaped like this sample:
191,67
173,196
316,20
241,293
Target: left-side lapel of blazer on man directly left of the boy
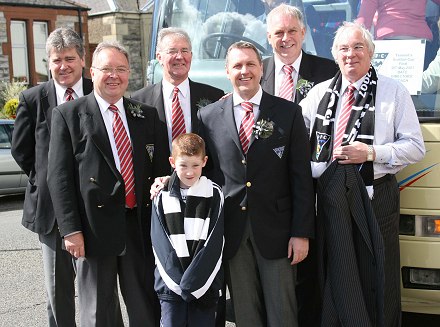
93,123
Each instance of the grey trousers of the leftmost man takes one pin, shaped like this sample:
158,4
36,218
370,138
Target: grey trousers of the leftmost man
59,278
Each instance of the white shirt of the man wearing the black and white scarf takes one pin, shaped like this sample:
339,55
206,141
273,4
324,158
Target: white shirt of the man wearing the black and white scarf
398,139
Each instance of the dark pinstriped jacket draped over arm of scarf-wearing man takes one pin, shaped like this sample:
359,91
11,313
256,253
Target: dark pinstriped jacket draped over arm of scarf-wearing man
350,251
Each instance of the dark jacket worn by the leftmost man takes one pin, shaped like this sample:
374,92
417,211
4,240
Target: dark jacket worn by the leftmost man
30,145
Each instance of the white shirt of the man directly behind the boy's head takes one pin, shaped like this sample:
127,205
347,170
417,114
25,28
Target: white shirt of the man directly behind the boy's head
185,104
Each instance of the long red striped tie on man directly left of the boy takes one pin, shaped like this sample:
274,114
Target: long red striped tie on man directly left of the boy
125,154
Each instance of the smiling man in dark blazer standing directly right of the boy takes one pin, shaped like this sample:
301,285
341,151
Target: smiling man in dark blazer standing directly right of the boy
266,179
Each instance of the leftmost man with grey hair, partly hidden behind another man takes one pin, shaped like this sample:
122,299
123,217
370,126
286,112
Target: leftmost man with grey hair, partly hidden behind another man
30,146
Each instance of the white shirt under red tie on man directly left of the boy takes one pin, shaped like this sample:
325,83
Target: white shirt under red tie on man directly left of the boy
107,115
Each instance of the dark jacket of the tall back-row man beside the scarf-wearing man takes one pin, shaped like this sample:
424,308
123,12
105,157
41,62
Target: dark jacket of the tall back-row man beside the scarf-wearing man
312,68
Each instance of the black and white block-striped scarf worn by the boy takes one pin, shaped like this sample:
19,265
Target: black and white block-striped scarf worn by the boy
188,229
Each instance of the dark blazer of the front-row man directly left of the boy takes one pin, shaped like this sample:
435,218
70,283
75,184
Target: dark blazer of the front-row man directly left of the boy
86,187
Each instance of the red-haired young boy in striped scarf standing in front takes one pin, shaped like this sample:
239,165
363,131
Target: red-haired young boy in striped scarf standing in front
187,238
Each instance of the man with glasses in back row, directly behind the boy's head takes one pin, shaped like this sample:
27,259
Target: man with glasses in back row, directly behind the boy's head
175,55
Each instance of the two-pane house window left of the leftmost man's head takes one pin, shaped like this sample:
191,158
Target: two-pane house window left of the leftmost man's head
29,51
